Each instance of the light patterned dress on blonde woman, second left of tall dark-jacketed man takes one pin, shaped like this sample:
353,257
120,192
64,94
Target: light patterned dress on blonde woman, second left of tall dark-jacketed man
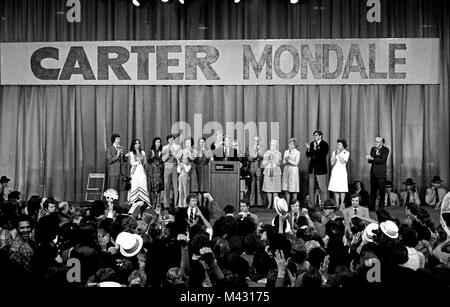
272,172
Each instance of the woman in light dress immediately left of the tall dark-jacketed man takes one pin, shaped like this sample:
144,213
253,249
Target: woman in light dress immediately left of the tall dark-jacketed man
291,179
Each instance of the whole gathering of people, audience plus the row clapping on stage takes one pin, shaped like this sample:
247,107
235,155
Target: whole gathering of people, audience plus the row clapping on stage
171,232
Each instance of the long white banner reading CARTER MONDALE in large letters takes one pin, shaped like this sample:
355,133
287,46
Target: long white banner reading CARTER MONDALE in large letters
222,62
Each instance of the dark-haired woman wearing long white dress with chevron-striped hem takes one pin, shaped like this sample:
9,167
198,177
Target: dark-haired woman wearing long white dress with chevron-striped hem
137,161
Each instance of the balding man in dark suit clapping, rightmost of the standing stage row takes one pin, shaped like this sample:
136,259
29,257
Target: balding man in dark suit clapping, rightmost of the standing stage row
378,158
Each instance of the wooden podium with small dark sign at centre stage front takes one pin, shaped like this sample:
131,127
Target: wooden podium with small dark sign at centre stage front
224,183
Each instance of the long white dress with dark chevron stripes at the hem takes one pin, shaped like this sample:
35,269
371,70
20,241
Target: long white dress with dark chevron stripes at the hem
138,189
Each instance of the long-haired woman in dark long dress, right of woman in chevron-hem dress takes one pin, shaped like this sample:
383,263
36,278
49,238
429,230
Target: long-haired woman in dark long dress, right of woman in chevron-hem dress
155,171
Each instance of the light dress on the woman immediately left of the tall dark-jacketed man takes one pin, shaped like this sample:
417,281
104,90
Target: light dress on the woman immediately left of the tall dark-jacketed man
291,179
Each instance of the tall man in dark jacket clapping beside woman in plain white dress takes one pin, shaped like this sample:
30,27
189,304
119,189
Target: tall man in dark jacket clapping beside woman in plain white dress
317,150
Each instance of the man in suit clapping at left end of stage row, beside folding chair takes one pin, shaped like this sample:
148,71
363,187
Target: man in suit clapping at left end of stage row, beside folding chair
115,157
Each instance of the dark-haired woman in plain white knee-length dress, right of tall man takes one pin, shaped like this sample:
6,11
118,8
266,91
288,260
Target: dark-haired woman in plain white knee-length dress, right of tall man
338,179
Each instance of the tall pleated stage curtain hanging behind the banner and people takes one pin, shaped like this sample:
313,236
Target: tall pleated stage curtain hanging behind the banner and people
52,136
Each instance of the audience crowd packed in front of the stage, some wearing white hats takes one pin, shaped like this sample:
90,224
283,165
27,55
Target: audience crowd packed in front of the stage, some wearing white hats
54,243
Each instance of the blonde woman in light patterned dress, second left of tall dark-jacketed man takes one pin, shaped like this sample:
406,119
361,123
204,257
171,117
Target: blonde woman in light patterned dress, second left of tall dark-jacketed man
272,172
